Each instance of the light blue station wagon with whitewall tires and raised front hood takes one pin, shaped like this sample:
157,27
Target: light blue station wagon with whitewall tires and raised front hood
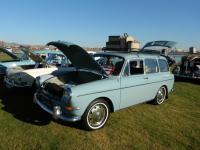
94,87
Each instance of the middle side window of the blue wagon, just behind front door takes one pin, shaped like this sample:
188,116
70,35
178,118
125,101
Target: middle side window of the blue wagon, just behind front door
151,66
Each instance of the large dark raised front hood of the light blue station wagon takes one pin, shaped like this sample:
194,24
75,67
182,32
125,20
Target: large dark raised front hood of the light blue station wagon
78,56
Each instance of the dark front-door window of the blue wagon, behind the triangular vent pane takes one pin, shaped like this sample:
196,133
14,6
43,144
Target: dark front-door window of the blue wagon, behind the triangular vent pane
136,67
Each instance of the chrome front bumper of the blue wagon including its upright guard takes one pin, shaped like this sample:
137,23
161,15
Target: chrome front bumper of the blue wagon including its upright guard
54,113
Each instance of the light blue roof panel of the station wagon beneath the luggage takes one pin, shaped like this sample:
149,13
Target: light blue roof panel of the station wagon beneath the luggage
129,55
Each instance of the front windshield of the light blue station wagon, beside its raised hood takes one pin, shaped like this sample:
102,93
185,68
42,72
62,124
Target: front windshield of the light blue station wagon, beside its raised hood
110,63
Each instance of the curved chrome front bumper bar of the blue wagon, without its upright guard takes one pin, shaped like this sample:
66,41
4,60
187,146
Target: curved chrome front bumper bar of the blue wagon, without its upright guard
70,119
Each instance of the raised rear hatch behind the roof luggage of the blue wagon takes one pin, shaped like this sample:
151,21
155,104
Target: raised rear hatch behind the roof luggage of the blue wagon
168,44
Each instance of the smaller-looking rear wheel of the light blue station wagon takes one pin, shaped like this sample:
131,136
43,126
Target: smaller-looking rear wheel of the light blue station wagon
160,96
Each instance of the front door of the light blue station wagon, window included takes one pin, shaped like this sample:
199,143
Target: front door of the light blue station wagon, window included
133,83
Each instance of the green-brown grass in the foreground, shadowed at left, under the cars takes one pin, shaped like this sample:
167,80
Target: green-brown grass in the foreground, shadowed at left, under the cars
173,125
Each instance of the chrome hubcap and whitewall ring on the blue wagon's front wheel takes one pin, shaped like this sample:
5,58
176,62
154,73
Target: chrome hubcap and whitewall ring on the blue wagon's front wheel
97,115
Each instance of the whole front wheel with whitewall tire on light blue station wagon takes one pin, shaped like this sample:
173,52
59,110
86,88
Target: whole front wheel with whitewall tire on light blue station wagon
96,115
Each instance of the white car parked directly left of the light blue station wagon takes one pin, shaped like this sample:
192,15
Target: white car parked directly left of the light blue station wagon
18,77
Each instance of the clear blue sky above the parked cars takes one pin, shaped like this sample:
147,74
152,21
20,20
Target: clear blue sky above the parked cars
89,22
